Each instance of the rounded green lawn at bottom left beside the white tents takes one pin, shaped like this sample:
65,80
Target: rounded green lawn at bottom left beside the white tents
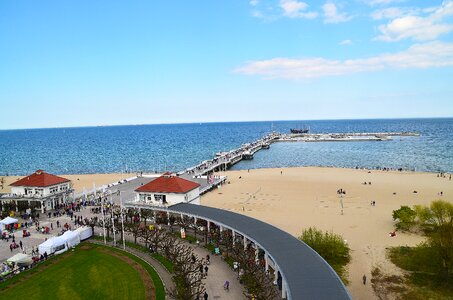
89,272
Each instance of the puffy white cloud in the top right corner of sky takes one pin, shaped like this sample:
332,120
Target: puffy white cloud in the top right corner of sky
419,28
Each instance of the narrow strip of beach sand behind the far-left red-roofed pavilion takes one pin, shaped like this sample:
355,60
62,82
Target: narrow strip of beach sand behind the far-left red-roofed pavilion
79,181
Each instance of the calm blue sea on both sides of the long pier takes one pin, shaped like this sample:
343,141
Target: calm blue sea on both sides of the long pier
178,146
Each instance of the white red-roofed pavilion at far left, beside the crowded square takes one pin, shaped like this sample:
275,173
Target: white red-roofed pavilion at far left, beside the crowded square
47,189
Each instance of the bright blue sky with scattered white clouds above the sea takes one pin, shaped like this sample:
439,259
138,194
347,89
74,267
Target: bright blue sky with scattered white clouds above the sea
82,63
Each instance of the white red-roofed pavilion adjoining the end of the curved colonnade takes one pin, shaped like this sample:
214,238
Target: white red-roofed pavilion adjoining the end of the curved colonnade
169,190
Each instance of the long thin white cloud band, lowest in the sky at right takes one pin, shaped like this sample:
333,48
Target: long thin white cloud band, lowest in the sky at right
426,55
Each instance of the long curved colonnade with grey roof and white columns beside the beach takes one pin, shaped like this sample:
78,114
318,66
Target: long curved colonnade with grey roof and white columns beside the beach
304,274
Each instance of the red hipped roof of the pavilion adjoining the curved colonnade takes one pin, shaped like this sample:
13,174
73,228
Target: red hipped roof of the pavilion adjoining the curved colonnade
168,184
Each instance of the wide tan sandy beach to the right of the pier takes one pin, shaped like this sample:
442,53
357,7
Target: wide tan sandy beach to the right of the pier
302,197
